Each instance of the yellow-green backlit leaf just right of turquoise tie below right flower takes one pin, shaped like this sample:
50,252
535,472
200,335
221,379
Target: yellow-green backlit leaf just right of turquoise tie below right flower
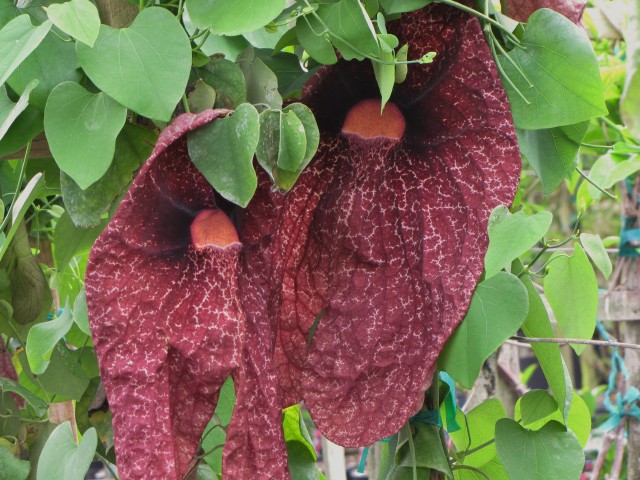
477,429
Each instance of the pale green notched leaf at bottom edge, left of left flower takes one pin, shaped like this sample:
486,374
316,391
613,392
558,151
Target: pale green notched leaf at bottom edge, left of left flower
62,459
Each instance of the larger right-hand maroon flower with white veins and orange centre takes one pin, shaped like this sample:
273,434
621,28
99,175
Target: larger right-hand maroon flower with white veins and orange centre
381,242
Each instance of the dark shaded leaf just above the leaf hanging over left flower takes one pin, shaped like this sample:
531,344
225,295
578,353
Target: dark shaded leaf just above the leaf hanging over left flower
227,80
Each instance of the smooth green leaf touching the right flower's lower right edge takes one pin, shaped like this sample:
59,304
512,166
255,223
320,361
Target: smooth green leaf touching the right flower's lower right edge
498,308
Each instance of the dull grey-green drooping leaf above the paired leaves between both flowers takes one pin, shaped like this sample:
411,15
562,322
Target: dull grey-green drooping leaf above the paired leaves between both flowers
262,83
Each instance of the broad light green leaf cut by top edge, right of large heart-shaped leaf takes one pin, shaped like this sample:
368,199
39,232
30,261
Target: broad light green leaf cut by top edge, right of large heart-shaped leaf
233,17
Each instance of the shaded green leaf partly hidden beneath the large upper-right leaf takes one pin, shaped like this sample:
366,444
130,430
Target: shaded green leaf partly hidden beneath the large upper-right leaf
553,152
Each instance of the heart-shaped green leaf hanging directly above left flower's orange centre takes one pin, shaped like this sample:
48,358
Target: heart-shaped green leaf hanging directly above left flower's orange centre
223,151
